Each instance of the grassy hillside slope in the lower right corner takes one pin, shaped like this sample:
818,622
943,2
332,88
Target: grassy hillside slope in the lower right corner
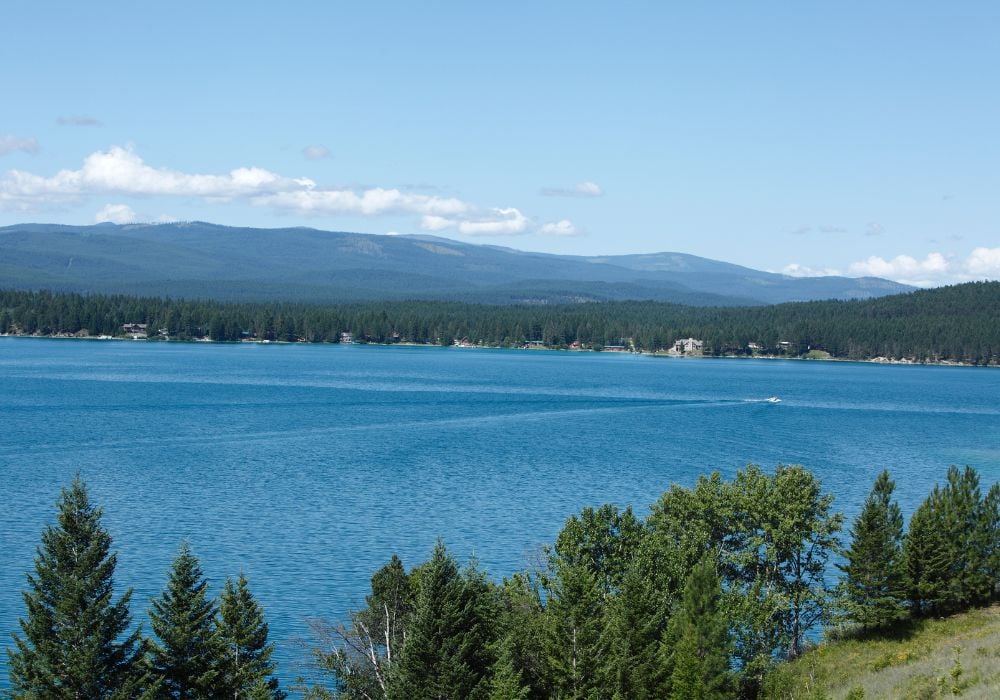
954,656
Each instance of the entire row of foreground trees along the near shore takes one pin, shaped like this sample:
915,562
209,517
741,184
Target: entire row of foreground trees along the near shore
703,598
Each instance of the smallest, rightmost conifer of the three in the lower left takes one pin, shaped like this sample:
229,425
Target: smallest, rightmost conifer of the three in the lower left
245,663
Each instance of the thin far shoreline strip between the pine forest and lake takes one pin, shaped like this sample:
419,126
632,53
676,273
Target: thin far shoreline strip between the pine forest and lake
659,355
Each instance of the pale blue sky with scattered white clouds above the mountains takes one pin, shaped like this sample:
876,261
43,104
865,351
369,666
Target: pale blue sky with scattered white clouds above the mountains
849,138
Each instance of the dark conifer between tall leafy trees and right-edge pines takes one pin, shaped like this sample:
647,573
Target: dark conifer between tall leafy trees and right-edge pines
873,589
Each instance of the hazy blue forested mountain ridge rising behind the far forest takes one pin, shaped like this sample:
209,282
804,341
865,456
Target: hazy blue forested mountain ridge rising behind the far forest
197,259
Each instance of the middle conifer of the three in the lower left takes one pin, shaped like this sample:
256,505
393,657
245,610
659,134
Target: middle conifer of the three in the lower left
186,656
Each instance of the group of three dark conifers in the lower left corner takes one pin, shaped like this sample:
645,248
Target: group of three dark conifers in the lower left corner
76,641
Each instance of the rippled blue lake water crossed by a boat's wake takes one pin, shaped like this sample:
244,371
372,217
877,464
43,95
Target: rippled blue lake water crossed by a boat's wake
307,466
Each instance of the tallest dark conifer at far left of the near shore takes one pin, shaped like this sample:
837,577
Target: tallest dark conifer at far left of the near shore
75,640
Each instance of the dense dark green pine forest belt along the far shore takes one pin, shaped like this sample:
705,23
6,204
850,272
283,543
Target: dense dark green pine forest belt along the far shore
960,323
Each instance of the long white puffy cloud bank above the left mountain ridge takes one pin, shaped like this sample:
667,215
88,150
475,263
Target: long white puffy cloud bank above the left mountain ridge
122,172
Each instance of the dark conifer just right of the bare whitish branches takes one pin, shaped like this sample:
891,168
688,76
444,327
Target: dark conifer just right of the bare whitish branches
446,636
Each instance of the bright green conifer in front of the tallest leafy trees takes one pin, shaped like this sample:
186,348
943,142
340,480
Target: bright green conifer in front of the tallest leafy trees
698,655
